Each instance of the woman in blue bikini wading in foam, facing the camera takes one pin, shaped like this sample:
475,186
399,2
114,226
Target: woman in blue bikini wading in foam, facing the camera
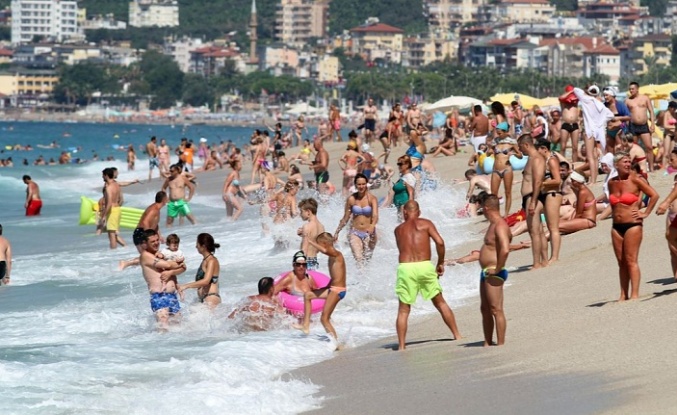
362,210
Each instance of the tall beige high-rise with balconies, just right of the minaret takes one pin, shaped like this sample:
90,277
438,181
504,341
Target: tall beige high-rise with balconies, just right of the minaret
298,21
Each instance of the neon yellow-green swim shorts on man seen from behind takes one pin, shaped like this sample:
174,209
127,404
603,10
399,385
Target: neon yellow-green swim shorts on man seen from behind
415,277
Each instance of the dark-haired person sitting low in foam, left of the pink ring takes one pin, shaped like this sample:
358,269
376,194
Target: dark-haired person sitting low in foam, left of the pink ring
258,311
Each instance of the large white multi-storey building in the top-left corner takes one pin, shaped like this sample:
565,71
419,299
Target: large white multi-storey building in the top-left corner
53,19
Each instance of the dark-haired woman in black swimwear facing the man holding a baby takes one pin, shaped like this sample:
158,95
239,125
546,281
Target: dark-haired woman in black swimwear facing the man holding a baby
207,276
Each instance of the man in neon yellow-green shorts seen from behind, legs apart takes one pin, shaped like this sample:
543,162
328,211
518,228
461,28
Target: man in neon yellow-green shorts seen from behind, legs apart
416,273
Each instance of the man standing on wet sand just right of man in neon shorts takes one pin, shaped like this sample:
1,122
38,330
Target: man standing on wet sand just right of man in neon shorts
493,256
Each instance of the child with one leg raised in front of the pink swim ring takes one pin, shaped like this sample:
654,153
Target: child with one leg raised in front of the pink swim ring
335,290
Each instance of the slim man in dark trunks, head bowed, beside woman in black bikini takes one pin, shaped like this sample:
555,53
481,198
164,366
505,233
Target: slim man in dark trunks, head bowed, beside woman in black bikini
532,180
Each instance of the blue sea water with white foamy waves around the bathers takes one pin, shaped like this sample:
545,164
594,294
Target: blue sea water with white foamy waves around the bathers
78,337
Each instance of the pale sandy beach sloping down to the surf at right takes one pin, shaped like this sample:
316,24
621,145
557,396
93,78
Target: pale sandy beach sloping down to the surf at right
570,347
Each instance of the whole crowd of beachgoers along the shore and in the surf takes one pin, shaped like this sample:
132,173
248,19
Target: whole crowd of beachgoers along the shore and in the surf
560,153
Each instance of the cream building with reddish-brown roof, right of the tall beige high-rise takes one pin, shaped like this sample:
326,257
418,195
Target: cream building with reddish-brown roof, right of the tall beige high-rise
376,40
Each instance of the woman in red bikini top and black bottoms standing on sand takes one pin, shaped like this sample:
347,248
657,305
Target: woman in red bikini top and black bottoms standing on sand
626,231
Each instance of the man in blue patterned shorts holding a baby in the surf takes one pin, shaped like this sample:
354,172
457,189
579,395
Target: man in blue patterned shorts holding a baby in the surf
164,300
